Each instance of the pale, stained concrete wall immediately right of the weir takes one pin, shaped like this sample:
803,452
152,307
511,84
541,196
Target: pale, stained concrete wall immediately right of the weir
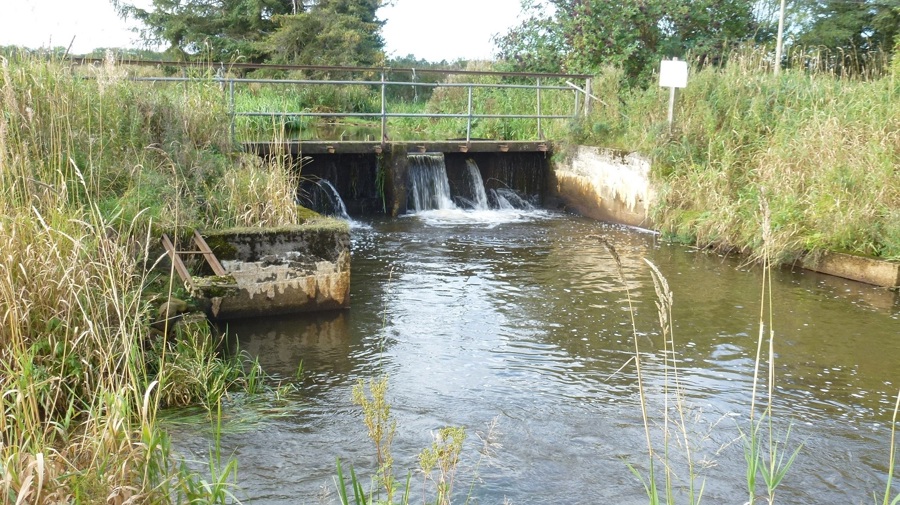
606,185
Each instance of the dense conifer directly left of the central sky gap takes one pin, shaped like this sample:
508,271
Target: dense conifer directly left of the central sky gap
333,32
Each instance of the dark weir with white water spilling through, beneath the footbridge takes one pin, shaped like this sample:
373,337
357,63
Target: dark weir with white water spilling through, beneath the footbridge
400,182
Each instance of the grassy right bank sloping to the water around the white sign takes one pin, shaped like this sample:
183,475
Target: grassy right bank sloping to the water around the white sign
810,157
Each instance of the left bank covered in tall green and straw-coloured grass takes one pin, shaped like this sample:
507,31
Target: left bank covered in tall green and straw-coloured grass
92,165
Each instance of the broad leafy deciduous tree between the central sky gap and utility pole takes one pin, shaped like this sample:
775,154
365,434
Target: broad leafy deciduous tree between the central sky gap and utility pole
584,35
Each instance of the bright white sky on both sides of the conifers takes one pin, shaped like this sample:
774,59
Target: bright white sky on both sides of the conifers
431,29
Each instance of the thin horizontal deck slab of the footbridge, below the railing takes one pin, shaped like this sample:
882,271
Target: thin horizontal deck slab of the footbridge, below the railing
305,147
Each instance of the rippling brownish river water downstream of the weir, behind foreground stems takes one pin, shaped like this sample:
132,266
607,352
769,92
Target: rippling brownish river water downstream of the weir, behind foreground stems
520,317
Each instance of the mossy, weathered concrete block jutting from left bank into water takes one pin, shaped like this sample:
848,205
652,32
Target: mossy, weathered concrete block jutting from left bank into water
278,271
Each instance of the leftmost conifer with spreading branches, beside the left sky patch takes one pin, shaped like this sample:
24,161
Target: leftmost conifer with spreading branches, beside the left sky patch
224,30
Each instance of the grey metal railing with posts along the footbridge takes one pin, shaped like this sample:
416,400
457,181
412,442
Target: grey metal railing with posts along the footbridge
581,97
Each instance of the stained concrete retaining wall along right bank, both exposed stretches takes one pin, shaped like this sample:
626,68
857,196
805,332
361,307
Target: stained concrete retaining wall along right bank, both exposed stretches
614,186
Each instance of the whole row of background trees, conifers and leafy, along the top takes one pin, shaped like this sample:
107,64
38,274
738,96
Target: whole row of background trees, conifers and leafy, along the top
554,35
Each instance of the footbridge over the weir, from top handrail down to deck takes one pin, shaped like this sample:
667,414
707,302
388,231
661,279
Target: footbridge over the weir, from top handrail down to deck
375,110
